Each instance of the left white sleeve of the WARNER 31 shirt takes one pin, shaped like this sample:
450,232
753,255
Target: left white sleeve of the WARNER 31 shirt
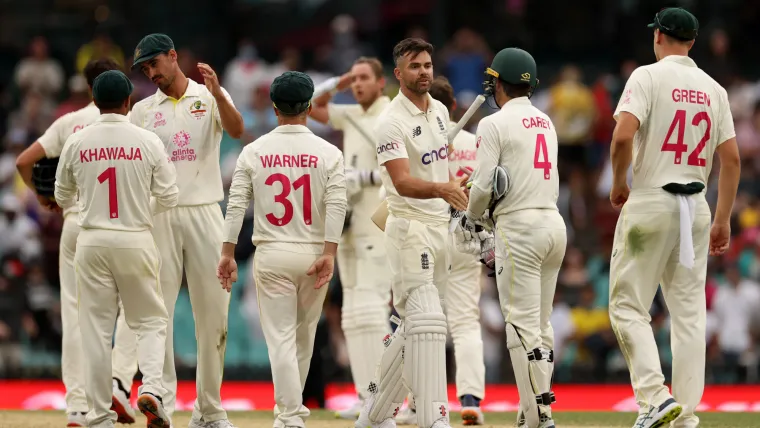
241,194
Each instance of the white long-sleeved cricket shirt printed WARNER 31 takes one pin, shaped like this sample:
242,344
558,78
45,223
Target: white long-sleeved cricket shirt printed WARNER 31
297,183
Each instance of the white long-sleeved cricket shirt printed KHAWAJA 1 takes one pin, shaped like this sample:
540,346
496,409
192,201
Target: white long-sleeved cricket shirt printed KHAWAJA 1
116,167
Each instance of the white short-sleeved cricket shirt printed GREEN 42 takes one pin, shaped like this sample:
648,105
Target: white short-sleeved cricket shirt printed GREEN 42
684,116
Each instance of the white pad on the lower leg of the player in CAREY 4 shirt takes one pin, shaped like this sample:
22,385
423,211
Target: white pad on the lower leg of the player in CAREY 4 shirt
525,386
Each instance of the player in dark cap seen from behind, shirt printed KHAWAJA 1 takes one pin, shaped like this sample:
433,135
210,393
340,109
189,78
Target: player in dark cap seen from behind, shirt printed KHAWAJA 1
113,168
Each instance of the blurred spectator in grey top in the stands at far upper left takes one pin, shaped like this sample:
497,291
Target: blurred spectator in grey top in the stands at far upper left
40,73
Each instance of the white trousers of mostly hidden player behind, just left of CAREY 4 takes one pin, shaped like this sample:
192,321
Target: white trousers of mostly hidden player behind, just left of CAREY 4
461,299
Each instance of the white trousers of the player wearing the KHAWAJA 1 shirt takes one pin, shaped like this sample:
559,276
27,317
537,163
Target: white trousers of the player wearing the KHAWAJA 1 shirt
112,265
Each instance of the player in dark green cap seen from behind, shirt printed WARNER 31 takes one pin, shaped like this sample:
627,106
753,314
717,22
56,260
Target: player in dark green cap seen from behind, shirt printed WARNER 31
297,183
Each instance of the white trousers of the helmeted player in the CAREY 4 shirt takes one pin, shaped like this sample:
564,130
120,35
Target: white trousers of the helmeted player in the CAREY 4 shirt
530,246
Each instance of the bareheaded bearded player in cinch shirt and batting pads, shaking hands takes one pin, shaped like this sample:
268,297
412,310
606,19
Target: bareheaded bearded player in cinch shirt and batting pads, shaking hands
412,147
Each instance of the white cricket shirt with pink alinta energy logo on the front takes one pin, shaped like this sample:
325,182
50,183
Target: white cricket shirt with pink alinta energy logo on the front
191,130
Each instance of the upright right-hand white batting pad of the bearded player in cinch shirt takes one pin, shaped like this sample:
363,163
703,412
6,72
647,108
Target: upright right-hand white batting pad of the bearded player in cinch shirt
425,360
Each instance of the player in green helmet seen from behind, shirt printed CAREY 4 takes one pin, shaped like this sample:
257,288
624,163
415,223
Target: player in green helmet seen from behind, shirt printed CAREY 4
530,233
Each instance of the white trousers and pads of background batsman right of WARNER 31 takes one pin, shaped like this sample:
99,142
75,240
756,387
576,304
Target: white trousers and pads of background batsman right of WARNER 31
366,285
